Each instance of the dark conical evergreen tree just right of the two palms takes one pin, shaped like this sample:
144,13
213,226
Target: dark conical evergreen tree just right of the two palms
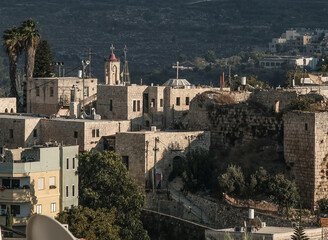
44,60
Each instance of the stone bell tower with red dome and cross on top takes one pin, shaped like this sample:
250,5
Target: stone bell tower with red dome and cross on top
112,69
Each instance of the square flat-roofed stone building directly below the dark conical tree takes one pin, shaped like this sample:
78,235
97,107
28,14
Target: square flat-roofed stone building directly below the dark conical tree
53,96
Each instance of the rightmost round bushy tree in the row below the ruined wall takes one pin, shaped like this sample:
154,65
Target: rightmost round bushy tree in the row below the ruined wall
283,192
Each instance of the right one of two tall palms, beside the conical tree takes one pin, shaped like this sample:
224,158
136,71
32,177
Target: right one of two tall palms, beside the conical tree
31,38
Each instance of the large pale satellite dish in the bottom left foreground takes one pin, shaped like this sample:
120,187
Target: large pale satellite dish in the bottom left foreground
40,227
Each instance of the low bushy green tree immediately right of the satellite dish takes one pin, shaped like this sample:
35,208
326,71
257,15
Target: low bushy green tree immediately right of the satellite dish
91,224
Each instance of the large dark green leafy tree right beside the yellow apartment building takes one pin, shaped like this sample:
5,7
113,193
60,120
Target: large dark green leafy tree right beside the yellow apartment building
104,183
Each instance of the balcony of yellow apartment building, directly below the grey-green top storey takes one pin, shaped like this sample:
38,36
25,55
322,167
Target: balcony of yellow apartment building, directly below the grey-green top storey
15,195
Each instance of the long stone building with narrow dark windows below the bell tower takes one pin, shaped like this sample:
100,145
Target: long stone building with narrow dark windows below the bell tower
145,106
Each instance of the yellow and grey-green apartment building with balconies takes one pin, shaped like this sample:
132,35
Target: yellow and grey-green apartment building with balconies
38,180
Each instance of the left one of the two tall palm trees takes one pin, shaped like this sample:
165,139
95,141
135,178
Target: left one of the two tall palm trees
13,47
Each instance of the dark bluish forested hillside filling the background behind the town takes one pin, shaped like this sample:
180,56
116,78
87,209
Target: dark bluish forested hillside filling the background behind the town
158,32
